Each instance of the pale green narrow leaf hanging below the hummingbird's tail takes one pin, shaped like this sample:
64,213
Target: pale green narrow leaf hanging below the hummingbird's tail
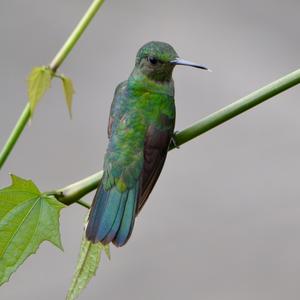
87,265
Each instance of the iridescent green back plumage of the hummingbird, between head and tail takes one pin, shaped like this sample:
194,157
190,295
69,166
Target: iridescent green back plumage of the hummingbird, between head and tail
124,158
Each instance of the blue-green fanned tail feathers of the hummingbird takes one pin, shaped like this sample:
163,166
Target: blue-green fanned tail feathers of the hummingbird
112,215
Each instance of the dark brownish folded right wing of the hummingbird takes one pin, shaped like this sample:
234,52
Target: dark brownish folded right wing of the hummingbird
155,152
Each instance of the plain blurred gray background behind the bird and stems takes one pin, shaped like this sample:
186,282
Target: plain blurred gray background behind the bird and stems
224,219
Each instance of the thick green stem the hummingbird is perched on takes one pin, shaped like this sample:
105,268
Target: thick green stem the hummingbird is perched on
75,191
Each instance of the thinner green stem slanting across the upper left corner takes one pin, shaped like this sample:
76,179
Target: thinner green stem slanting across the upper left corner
54,65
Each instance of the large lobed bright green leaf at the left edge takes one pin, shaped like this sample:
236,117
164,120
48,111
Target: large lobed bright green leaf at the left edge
27,218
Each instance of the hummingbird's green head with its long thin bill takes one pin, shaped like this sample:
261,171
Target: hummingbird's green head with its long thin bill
156,60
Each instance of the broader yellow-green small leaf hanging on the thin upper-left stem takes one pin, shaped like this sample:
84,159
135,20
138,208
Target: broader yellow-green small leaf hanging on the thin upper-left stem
39,81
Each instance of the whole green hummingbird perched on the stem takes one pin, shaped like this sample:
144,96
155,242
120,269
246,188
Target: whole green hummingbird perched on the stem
140,130
